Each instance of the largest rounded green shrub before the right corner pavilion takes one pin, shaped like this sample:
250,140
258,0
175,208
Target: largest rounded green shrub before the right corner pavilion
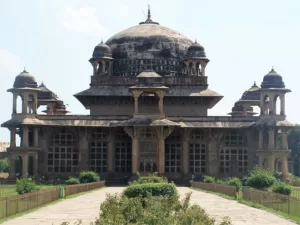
260,178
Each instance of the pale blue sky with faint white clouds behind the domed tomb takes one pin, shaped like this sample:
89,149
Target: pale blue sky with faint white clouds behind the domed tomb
243,40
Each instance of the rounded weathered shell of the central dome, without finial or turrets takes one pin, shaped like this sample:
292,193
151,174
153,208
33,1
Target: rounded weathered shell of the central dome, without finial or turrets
148,41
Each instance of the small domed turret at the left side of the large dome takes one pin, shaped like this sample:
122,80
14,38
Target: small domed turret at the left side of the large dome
102,60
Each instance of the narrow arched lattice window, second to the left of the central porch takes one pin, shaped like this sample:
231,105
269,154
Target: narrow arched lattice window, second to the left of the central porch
98,151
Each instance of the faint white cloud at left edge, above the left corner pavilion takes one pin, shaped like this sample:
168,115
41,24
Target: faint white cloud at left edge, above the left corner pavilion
10,64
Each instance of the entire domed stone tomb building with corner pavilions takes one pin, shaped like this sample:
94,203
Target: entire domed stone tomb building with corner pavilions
148,101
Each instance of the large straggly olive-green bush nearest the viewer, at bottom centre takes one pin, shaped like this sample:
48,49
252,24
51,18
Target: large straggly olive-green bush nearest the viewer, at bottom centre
119,210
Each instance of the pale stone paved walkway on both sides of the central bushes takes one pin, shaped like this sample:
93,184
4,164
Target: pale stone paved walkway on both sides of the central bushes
86,207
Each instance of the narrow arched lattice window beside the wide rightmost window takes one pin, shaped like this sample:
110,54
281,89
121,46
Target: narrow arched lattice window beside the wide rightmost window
197,152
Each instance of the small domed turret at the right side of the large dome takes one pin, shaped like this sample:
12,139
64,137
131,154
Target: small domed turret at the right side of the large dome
195,60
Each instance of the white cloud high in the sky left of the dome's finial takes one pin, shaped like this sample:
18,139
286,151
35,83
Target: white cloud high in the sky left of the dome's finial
82,20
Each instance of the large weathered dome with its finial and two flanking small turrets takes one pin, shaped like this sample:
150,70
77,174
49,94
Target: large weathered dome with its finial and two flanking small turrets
148,46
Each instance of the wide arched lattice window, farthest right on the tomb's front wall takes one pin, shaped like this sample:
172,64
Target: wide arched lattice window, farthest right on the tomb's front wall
233,154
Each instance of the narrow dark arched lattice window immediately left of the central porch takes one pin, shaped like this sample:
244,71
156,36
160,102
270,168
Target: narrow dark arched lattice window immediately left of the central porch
123,158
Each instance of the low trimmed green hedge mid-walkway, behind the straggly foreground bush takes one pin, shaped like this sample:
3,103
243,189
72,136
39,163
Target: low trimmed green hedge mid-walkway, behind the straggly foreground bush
151,189
